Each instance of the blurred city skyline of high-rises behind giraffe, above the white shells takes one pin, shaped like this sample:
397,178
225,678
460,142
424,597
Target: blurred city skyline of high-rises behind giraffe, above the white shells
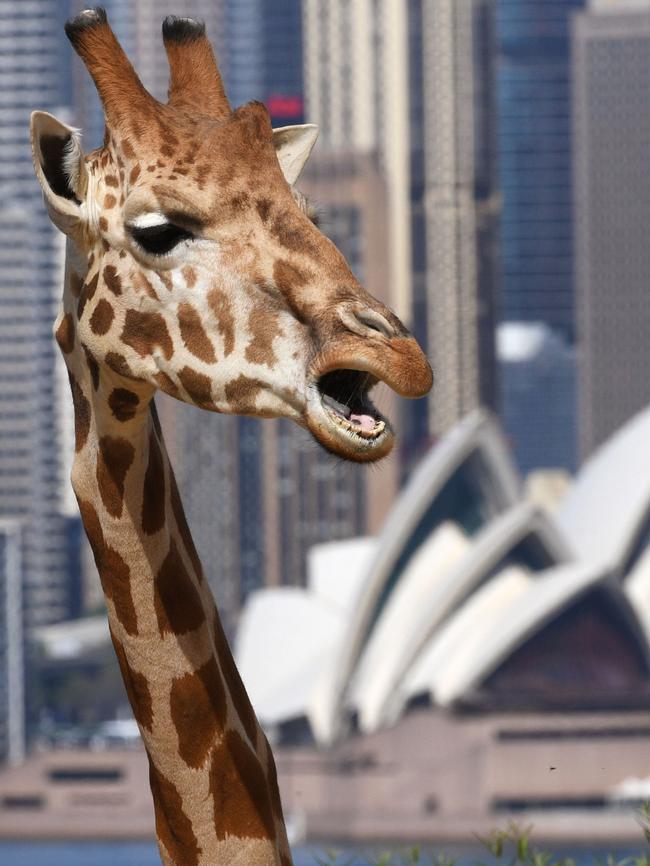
444,172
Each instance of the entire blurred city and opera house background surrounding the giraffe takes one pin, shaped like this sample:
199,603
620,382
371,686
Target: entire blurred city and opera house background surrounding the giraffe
461,634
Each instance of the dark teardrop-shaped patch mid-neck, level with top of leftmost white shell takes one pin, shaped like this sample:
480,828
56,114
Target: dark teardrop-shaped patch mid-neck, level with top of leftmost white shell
177,602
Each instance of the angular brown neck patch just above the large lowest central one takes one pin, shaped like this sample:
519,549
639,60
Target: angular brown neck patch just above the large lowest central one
198,711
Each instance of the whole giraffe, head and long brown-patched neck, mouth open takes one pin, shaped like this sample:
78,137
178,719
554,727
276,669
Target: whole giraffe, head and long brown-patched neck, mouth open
192,267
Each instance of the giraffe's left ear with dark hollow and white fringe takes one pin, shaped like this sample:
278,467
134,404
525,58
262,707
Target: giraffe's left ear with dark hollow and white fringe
60,168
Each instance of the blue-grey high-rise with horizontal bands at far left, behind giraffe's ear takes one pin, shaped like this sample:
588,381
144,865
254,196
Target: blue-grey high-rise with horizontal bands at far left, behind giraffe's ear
34,74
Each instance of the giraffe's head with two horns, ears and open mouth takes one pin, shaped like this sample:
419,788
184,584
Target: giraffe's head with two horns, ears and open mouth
202,272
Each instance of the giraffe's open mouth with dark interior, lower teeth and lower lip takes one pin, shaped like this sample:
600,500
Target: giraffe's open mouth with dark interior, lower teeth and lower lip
345,420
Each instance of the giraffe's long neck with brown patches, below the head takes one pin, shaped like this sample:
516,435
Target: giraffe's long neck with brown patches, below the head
212,773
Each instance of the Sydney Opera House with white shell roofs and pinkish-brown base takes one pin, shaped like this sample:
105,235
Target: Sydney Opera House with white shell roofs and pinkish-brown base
485,657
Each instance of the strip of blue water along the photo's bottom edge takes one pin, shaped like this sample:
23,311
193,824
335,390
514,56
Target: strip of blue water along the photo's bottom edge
146,854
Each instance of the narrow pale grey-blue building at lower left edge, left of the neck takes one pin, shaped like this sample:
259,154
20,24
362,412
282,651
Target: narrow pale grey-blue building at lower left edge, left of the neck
12,696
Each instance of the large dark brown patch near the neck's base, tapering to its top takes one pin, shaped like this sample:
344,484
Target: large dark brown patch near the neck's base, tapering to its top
238,785
